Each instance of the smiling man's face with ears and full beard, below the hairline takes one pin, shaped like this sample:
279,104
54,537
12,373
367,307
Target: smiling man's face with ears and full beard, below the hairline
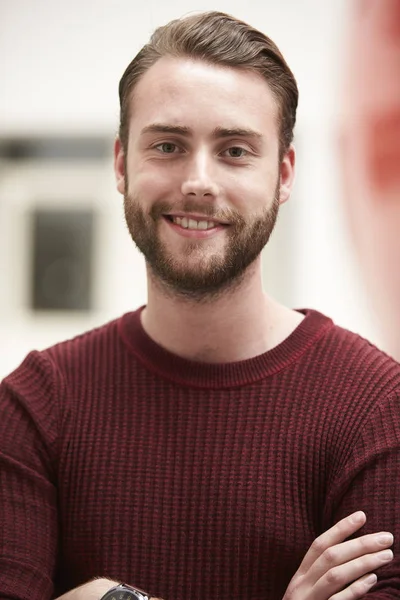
201,179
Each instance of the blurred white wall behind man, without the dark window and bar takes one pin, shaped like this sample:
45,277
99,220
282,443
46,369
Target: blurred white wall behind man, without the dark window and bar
61,63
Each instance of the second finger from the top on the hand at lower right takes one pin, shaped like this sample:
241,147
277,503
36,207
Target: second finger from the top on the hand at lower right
348,551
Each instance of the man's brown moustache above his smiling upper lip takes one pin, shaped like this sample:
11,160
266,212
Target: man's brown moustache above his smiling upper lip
194,206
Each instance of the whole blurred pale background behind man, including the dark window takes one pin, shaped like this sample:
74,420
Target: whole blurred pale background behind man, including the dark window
67,262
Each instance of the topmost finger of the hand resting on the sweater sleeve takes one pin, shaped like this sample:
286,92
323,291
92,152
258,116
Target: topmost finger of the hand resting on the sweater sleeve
336,534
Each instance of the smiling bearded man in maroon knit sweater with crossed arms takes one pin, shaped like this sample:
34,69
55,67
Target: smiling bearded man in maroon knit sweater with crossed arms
195,448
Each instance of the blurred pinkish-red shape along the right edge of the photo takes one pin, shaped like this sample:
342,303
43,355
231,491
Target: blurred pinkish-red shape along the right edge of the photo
370,149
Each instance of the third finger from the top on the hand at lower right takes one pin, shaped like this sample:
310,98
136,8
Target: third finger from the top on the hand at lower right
338,578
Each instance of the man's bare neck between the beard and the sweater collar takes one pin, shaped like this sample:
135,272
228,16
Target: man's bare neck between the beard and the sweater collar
234,326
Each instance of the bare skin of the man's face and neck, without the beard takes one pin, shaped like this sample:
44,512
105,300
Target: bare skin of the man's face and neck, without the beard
243,322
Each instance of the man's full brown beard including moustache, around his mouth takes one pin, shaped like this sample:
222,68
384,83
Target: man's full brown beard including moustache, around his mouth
198,274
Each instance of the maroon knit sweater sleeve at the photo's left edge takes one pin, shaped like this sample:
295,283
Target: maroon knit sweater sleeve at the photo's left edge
28,501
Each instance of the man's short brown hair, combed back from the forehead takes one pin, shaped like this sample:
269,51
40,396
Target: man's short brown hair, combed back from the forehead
216,38
